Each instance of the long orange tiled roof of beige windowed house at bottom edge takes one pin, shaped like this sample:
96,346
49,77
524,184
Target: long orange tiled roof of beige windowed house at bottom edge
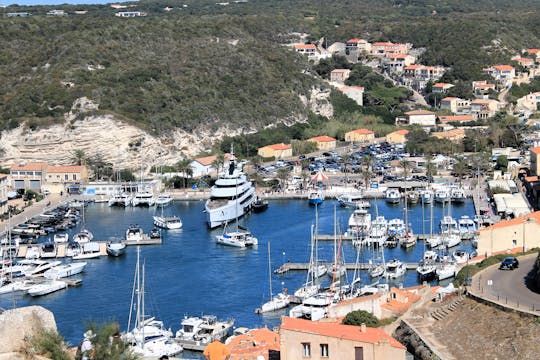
339,331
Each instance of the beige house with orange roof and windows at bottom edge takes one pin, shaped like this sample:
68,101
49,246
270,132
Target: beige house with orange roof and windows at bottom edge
306,339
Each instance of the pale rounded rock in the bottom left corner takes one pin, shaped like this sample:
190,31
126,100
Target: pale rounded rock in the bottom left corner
21,323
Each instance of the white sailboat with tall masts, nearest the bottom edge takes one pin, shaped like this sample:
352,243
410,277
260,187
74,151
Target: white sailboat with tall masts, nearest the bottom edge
147,337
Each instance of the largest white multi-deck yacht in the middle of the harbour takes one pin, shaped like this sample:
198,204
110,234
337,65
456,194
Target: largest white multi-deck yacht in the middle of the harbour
231,196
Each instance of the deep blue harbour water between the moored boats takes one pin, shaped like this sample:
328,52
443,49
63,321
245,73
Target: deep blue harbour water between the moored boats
189,274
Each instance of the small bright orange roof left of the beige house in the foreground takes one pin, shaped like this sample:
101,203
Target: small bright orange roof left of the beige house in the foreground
255,342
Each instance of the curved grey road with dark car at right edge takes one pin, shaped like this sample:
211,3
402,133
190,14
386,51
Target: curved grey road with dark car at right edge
509,287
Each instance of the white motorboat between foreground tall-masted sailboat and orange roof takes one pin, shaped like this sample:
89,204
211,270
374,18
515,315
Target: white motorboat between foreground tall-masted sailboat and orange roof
196,333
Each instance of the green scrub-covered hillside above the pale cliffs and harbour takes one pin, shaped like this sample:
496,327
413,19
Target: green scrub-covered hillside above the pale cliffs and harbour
204,66
